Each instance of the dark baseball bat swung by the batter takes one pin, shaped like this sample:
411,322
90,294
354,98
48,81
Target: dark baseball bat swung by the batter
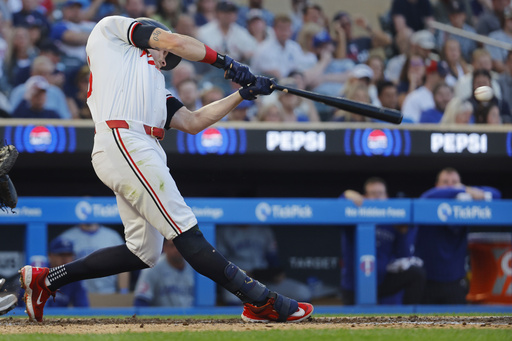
383,114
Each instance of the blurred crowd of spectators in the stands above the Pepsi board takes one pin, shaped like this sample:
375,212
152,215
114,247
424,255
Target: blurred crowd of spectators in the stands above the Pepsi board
404,64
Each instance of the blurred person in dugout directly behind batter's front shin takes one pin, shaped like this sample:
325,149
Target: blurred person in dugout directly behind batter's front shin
255,249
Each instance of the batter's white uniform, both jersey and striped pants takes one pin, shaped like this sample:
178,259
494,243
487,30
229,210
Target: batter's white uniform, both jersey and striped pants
126,85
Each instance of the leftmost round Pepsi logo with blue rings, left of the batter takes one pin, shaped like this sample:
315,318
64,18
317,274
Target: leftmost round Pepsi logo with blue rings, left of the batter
41,139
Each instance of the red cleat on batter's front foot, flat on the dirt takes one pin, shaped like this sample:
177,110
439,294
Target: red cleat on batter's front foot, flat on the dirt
277,309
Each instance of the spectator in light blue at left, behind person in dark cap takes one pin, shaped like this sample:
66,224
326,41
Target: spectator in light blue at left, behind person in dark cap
55,98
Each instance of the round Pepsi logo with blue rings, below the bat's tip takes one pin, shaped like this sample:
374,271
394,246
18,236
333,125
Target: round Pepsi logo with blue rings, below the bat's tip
377,142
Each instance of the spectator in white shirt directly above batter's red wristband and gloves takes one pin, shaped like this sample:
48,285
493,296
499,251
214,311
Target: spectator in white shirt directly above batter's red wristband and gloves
225,35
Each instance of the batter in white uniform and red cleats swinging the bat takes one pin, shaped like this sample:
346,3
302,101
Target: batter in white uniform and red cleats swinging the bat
132,109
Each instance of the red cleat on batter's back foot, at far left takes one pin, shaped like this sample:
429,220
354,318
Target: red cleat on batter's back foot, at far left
36,292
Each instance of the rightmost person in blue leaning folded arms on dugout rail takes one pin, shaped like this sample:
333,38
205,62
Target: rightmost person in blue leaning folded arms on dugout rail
443,248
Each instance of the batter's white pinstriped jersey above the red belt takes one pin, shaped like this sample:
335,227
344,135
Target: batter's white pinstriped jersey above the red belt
117,67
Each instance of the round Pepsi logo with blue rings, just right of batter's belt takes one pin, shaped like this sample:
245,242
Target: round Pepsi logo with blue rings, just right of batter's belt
213,140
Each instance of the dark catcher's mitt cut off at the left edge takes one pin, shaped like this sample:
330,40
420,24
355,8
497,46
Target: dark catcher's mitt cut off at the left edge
8,195
